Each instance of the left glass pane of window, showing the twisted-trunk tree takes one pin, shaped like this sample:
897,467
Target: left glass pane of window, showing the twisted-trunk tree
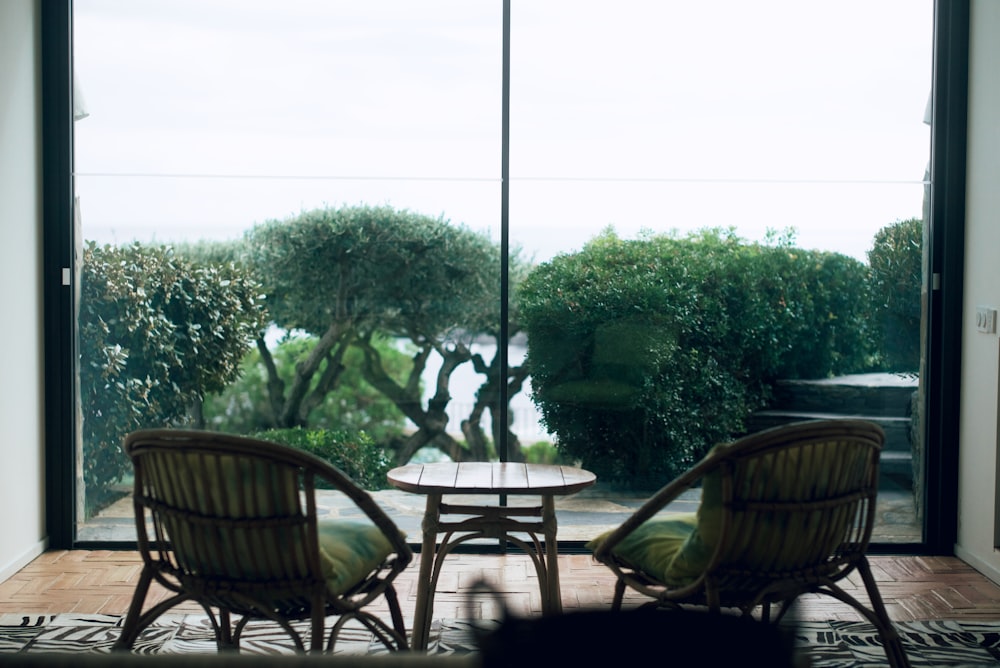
216,127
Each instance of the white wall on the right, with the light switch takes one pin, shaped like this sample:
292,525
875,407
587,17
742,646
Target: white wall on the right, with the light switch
979,438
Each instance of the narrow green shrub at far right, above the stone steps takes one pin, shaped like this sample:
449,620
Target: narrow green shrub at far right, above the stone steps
896,274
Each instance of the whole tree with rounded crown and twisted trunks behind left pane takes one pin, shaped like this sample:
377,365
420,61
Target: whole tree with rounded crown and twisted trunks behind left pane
350,275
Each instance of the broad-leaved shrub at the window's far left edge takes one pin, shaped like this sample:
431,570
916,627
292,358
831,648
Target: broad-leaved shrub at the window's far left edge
156,333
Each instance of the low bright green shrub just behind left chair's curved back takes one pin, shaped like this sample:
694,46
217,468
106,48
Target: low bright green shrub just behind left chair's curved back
354,453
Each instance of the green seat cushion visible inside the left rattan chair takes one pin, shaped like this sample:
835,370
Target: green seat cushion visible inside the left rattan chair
349,551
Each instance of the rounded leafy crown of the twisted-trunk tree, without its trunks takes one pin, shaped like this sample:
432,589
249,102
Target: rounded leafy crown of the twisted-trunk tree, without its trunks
374,267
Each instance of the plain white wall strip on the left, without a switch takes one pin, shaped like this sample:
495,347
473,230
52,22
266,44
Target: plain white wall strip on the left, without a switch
22,519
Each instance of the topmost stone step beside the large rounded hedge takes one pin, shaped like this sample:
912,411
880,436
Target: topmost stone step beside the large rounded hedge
881,394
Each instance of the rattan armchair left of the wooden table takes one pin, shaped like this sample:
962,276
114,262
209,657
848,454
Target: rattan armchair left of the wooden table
232,523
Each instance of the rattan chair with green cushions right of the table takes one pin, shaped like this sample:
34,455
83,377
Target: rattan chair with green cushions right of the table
783,512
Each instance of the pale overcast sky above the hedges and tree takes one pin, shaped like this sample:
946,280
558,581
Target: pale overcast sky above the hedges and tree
207,116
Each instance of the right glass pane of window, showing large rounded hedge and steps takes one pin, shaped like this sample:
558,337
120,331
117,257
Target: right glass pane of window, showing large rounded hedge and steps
794,126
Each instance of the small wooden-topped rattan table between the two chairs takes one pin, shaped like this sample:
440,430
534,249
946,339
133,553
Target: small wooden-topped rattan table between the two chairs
487,521
